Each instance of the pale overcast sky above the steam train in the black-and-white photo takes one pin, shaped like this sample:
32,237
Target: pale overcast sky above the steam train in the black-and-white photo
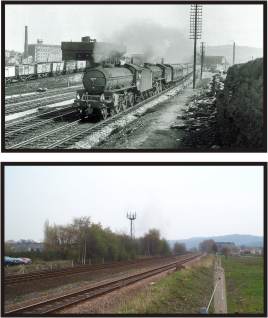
55,23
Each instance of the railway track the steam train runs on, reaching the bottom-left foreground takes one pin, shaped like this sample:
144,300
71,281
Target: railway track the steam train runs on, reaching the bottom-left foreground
72,132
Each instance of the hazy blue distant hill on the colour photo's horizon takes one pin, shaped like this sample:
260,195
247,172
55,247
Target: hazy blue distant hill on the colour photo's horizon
238,239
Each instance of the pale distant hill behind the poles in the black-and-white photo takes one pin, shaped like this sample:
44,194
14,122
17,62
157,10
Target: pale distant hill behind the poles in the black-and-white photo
242,53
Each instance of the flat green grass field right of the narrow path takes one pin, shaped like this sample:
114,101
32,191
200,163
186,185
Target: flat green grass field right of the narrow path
244,284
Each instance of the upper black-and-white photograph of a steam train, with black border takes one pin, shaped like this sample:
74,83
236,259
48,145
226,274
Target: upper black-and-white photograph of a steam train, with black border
145,77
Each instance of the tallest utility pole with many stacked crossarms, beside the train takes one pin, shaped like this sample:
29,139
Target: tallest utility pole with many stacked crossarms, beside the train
195,30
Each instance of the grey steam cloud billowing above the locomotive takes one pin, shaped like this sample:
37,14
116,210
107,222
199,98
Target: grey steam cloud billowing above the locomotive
153,40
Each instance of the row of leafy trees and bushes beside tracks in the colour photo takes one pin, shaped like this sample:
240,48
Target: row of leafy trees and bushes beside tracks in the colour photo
86,242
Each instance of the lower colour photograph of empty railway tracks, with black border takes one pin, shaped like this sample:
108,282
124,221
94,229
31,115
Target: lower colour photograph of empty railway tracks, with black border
140,239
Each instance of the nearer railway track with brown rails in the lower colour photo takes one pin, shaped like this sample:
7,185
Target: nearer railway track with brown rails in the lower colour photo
58,303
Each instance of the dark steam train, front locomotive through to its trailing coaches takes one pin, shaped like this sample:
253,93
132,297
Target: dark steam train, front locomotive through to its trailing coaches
109,90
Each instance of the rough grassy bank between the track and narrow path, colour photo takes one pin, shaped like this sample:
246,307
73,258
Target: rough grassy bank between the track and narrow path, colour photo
184,291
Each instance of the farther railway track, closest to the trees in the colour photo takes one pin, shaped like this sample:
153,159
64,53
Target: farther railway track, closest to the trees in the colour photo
21,278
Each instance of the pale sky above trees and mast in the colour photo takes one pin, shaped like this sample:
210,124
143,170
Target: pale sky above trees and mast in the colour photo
180,201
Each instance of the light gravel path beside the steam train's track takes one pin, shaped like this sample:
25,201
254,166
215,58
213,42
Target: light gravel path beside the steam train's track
152,130
